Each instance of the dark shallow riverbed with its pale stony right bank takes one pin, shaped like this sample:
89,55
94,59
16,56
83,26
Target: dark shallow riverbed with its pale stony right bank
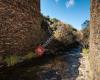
69,66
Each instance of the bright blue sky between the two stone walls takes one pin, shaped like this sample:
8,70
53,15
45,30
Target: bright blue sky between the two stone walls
73,12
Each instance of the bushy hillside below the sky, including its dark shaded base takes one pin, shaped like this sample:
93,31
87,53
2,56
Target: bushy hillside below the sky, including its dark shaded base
64,34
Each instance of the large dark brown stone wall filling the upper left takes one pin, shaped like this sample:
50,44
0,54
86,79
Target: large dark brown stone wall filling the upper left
20,28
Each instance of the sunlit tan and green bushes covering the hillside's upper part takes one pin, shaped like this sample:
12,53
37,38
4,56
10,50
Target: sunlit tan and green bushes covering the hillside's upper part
67,36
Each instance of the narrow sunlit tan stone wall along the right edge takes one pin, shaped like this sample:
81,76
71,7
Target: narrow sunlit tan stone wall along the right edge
94,55
